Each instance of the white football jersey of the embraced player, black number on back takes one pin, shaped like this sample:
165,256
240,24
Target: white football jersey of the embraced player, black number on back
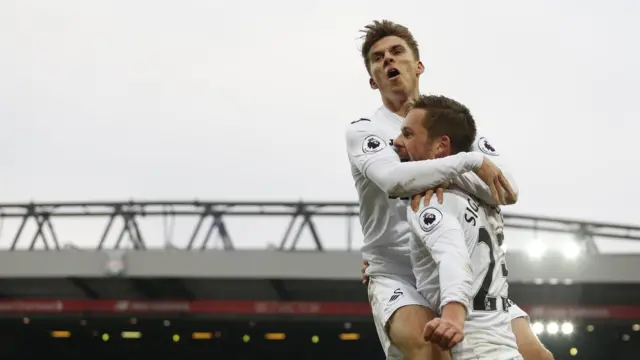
457,257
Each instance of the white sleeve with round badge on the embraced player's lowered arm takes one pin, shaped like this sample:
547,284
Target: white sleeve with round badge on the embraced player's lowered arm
442,234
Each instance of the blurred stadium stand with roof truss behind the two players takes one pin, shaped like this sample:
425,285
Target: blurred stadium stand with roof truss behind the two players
287,304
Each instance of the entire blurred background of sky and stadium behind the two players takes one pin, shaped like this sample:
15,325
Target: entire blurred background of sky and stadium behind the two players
175,178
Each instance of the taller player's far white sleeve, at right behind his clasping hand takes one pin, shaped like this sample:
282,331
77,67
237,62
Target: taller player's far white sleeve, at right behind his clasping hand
471,182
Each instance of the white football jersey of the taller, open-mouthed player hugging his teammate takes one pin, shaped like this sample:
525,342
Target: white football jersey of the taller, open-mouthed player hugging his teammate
381,178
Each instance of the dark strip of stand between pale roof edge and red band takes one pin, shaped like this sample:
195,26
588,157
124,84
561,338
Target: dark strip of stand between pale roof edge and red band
289,290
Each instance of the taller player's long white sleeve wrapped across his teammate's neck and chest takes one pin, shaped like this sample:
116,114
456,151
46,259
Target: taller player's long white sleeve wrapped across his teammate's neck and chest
376,159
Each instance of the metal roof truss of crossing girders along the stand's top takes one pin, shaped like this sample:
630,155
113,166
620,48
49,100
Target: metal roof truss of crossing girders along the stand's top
213,214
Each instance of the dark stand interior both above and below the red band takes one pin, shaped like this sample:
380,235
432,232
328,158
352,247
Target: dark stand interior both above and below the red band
602,339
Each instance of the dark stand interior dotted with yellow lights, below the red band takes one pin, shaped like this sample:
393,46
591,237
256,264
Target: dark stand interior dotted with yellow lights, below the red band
241,339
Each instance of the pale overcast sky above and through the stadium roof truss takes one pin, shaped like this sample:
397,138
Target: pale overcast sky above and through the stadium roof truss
248,100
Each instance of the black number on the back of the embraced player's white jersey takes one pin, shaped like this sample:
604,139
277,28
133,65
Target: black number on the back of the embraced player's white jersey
482,301
